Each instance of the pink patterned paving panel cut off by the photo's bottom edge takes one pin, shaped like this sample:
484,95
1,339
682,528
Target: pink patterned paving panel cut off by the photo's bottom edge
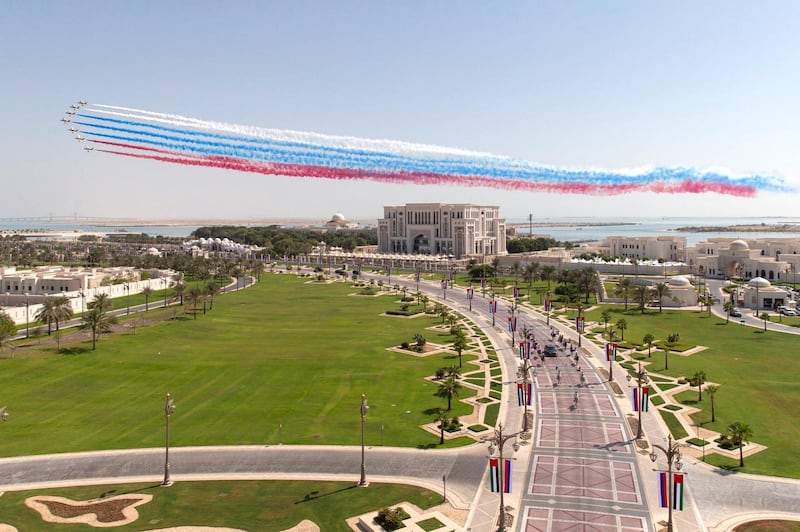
554,520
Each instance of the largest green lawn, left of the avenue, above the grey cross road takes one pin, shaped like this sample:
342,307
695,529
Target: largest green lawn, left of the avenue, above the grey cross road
284,353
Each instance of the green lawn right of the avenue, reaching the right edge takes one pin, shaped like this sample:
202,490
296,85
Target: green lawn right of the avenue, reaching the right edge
758,374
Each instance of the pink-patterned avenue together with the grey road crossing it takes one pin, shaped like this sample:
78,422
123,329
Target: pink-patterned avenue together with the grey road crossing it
575,456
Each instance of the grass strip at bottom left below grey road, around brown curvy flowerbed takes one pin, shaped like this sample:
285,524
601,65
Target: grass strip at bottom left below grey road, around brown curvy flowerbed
250,505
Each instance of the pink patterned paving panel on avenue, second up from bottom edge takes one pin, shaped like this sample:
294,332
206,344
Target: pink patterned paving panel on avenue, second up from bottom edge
585,477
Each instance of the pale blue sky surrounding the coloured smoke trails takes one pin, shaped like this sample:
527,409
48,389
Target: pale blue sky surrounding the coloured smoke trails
574,84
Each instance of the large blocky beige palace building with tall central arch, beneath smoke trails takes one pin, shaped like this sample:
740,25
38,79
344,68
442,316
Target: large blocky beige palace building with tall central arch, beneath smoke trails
442,229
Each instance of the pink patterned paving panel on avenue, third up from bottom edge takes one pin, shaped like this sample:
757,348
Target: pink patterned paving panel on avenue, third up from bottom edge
584,435
